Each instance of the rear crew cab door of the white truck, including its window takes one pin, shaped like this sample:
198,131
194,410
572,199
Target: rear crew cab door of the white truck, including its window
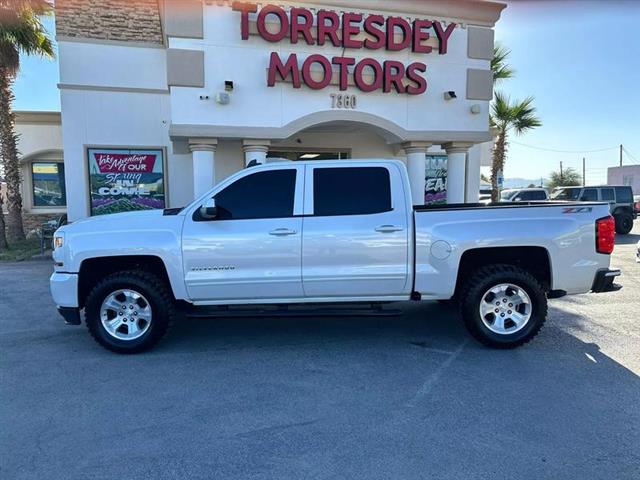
356,232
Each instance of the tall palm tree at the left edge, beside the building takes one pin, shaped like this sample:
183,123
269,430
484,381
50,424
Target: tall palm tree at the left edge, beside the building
21,31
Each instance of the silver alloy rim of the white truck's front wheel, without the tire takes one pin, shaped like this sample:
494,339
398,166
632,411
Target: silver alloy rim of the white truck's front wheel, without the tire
125,314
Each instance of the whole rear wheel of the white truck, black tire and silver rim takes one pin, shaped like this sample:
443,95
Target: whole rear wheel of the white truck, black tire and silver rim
503,306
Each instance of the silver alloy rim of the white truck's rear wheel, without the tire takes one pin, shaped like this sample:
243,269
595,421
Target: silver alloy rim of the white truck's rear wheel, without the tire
505,308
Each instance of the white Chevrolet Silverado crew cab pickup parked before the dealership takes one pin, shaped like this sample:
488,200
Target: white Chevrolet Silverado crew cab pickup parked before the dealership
327,232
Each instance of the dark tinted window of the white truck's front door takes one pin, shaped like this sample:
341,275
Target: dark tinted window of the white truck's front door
259,195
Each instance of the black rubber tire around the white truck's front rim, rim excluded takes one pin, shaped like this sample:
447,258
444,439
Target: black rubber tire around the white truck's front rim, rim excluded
152,288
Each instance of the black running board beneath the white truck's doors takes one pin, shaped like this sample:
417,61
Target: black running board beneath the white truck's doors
244,312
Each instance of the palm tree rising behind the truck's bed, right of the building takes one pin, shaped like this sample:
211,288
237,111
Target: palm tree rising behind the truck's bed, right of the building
518,117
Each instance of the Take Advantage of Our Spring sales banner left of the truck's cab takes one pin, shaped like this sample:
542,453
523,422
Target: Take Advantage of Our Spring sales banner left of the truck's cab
126,180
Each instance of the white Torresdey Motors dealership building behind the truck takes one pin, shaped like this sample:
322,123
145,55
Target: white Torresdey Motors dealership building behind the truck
160,99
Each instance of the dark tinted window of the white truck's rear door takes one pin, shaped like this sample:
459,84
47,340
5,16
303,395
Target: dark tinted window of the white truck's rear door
351,191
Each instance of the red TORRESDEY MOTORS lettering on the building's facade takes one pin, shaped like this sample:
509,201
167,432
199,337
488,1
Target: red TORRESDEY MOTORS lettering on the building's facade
345,31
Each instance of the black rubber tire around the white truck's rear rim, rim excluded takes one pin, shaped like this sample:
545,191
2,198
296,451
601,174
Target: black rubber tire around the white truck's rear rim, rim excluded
480,282
